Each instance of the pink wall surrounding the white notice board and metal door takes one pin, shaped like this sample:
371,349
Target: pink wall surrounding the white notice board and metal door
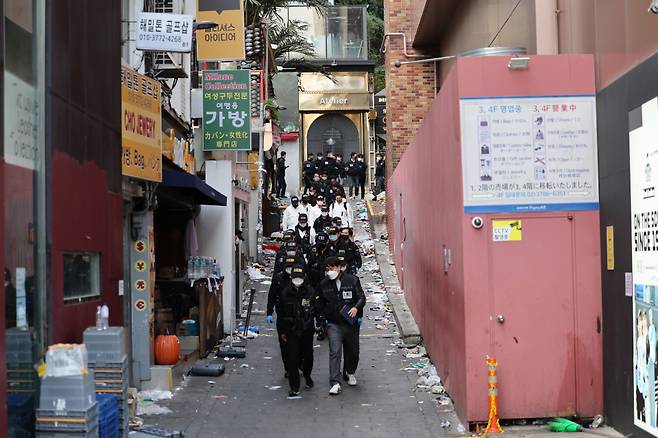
454,310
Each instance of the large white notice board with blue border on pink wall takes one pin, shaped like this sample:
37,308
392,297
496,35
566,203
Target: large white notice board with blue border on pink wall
529,154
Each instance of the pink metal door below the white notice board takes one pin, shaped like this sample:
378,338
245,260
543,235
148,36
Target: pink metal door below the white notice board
532,317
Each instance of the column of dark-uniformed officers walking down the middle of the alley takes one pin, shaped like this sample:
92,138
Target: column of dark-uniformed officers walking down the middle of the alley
315,288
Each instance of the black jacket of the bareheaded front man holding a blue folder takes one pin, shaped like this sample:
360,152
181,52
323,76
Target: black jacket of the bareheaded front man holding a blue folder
331,300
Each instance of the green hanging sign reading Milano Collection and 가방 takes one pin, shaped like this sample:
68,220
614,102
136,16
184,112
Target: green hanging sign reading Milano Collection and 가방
226,120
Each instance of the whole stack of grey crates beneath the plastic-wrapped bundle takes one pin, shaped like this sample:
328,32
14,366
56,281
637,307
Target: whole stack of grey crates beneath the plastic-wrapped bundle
67,407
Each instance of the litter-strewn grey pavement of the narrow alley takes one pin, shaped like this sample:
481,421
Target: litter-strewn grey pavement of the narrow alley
249,400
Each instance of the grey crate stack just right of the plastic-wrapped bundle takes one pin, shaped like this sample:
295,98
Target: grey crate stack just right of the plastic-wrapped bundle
106,352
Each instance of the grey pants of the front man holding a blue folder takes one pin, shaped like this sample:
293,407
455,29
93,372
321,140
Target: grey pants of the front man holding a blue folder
342,336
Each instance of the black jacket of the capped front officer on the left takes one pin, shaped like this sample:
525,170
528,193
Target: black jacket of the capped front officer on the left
296,309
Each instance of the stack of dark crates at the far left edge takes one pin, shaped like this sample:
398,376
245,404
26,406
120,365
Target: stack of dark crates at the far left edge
22,380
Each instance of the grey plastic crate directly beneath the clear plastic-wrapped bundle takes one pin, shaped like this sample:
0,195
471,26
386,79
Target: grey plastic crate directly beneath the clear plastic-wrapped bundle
68,393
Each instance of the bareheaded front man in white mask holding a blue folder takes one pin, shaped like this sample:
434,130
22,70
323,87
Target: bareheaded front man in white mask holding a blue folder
341,299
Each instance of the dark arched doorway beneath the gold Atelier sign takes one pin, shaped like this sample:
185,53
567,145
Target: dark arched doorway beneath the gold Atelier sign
335,133
